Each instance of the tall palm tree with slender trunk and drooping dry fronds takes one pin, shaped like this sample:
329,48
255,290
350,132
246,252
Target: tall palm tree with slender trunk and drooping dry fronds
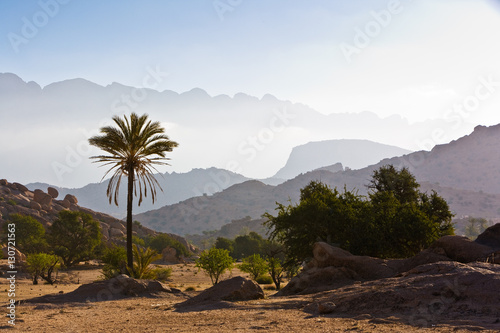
133,149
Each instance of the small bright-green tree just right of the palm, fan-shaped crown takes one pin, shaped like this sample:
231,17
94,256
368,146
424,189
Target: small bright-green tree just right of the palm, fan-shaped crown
215,262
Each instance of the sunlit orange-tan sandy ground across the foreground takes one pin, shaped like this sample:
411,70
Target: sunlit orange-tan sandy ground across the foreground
158,314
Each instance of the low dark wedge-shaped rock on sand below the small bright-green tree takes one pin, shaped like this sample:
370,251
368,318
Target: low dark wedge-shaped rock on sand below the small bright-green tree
235,289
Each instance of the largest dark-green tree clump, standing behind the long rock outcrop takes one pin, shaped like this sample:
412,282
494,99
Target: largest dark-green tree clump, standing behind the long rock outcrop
396,220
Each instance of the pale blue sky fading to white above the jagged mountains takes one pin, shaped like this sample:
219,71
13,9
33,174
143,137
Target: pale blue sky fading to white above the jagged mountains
416,59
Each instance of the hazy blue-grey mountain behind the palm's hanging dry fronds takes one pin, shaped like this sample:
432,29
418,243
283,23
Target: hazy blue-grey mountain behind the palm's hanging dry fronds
176,187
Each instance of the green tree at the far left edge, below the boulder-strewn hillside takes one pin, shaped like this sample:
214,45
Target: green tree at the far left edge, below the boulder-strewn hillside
30,234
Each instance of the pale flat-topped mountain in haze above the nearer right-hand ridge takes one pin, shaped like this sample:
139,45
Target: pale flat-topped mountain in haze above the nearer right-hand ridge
353,154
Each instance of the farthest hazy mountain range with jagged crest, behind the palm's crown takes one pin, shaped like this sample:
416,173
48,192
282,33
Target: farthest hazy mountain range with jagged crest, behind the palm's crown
46,129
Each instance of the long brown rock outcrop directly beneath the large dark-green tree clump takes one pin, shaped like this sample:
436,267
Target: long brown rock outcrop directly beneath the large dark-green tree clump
333,267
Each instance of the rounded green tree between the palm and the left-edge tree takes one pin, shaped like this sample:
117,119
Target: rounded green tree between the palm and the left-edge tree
74,236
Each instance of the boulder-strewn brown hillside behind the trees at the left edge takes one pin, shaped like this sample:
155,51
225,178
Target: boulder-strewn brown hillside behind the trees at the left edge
45,206
